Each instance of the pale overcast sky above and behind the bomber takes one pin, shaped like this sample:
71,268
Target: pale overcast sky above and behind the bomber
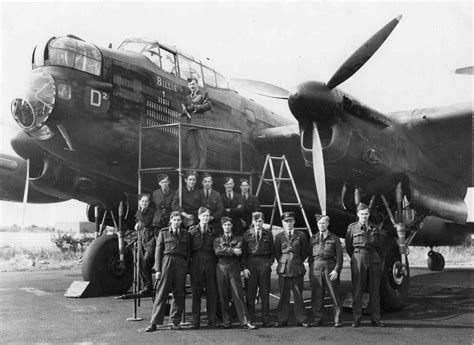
284,43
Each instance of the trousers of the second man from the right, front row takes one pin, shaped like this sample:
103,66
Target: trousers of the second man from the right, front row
319,279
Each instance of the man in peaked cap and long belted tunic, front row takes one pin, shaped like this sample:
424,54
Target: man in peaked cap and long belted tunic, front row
291,250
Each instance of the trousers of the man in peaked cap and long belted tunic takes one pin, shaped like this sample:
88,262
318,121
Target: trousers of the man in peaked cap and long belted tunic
288,284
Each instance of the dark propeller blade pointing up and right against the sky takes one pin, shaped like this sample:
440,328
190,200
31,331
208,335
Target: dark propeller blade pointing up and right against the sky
362,55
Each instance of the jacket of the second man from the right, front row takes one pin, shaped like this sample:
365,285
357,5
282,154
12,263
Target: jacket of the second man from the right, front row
326,249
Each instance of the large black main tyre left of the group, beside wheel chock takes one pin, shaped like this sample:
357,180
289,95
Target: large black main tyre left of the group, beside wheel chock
100,266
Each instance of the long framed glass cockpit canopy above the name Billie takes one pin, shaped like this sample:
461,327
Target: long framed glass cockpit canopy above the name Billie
174,62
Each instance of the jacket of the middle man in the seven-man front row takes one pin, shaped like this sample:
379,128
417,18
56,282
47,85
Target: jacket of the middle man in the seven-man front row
252,247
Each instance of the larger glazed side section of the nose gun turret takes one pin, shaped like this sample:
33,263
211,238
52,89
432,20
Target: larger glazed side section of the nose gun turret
65,51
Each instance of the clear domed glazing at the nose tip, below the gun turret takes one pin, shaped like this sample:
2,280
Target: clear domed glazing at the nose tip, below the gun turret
33,109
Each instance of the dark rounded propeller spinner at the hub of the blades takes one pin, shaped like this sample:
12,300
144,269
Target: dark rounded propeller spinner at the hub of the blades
312,101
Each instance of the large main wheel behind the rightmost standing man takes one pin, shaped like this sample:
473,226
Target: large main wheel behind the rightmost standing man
394,287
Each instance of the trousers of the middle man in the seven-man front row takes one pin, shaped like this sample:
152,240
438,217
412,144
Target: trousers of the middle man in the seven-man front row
260,271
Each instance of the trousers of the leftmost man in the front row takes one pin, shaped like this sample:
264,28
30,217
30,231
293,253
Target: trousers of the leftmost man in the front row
173,279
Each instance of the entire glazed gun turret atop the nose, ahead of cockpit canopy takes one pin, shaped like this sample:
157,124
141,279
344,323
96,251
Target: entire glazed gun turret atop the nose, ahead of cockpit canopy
69,52
